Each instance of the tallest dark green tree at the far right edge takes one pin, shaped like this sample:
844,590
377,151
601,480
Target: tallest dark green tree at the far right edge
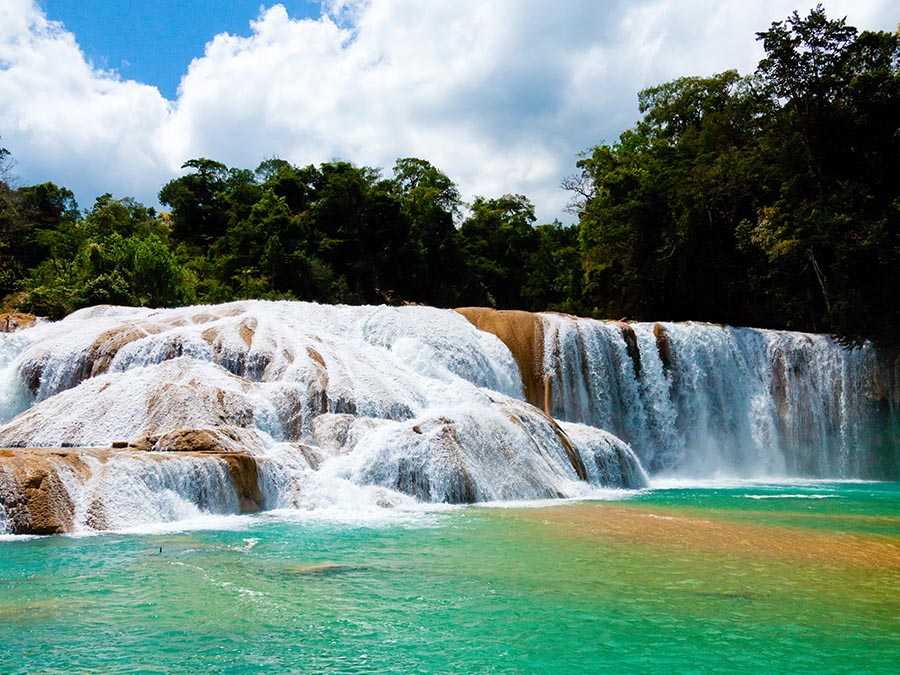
832,231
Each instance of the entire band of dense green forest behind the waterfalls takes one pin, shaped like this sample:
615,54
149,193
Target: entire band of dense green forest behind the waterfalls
771,199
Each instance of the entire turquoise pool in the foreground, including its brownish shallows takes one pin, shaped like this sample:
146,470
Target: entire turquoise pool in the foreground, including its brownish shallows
745,579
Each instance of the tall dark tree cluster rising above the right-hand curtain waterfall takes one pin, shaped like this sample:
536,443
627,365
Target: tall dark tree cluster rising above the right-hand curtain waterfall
770,199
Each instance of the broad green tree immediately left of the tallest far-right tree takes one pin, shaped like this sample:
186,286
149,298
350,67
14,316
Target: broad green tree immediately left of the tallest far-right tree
657,232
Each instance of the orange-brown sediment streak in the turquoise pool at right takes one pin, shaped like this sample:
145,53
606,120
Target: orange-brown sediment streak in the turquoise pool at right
668,529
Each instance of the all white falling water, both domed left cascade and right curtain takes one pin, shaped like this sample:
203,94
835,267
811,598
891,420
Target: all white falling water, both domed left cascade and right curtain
358,409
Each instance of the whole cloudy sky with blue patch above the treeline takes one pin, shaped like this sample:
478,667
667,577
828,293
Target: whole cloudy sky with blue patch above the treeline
502,95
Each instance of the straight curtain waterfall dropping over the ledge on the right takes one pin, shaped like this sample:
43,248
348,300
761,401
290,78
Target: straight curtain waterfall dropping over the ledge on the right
702,400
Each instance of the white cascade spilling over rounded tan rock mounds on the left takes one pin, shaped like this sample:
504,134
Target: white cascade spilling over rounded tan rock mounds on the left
376,404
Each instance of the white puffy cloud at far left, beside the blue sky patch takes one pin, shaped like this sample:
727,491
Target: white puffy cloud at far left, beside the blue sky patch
68,122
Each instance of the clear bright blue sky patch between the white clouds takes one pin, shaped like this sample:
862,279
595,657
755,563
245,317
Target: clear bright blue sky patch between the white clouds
153,41
